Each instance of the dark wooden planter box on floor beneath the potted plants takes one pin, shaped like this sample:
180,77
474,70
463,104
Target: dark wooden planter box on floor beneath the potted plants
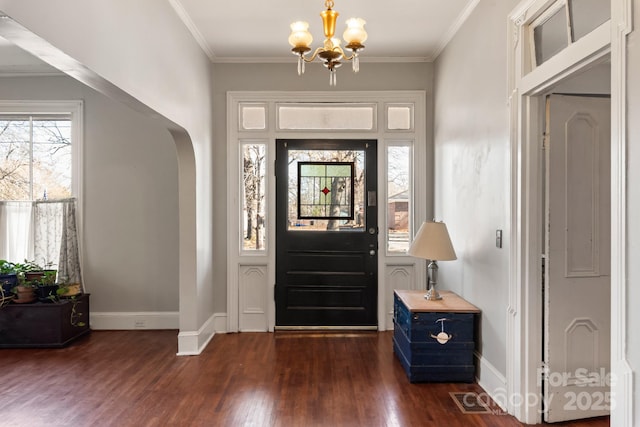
44,324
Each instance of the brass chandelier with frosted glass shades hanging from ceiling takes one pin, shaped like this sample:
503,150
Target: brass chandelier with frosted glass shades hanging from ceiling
331,53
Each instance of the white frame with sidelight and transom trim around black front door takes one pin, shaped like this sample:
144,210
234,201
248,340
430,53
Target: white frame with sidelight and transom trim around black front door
261,266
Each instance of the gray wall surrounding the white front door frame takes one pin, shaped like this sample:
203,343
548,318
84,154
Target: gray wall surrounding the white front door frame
274,77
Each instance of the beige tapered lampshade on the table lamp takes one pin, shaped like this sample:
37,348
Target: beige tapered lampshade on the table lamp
432,242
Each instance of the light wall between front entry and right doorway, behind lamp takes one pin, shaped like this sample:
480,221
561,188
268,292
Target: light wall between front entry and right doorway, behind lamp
471,143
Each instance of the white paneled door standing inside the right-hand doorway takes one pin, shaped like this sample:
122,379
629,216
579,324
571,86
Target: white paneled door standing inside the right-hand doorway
577,271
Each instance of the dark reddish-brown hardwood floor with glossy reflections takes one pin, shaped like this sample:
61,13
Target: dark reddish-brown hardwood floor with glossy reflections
134,378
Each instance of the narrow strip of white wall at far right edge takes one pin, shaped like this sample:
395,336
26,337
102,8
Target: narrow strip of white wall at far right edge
633,209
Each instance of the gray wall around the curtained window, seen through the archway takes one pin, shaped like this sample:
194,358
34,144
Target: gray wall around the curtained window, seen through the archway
130,200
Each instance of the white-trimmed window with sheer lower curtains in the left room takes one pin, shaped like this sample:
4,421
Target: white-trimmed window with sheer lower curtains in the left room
40,152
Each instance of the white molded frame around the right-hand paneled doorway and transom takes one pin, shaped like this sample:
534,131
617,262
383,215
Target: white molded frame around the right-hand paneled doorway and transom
524,332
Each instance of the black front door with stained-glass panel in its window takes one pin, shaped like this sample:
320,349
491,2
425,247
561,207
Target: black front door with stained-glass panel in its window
326,234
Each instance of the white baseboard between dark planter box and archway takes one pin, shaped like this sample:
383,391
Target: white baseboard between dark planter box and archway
134,320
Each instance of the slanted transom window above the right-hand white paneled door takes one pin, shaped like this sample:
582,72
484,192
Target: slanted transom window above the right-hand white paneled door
563,23
